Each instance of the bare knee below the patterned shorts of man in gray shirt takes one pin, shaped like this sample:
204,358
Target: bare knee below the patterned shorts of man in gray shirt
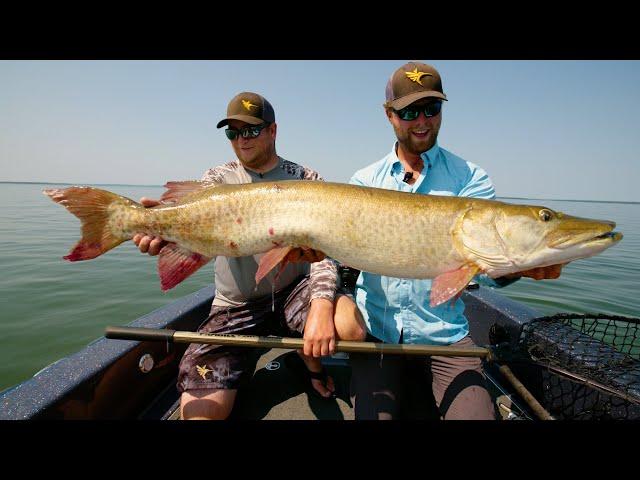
207,404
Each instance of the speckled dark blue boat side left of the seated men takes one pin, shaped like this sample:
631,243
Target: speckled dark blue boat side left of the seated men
103,380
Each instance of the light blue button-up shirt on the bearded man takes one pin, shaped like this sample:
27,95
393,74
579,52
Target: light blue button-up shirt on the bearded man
394,306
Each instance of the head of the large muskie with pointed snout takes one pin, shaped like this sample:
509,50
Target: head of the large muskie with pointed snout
502,238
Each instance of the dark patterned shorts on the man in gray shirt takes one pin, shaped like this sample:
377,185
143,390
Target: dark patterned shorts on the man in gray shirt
205,366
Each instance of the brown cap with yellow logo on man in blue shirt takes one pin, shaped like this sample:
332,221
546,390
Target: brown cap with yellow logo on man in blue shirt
411,82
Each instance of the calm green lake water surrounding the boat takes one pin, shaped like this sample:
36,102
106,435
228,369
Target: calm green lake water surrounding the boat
50,308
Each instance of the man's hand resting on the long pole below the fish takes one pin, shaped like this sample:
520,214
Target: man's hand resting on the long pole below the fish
319,331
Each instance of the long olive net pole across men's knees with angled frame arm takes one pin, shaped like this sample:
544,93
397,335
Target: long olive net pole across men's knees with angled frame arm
175,336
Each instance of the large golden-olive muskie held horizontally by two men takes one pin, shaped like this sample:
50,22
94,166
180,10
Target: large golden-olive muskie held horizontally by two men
448,239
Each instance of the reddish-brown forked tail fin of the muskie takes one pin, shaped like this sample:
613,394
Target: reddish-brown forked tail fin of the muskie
91,206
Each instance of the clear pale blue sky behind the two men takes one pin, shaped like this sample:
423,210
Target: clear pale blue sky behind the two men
541,129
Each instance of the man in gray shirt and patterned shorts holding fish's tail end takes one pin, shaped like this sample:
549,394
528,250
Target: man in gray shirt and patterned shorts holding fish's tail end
302,299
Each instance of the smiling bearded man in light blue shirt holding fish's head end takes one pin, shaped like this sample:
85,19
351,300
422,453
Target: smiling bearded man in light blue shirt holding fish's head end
397,310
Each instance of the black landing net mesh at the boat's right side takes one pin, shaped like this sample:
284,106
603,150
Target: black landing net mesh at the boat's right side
588,365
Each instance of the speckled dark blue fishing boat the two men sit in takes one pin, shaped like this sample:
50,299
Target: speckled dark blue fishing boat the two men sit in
129,379
